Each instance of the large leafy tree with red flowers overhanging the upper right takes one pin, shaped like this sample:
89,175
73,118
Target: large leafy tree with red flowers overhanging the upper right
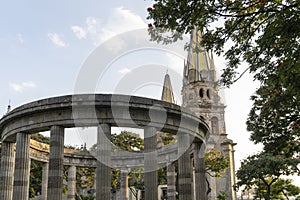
262,33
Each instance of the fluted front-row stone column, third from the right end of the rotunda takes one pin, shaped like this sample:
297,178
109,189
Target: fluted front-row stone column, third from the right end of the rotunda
150,164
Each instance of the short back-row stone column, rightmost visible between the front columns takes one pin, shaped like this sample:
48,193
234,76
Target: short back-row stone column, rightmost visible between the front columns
171,175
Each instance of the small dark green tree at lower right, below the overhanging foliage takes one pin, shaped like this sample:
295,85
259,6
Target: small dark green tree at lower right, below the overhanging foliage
263,168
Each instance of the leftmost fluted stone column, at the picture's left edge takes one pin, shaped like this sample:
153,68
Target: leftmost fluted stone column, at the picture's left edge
7,170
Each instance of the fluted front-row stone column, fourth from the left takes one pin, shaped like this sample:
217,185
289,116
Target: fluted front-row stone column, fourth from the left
103,182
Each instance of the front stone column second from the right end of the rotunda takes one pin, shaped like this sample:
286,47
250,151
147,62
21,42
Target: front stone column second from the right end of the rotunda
184,167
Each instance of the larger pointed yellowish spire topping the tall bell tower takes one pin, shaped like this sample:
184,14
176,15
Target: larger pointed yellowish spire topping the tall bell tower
199,65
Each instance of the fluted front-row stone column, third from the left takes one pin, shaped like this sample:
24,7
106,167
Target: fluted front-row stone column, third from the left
56,161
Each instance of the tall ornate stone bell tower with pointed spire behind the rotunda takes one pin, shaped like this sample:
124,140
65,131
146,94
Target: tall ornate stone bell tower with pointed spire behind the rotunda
200,94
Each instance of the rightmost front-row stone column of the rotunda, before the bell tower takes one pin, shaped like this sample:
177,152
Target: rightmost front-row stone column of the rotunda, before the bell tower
200,182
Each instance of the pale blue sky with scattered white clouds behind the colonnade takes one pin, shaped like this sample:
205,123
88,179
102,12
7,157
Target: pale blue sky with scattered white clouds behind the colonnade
45,45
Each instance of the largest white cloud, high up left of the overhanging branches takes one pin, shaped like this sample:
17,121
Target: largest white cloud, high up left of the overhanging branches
121,20
